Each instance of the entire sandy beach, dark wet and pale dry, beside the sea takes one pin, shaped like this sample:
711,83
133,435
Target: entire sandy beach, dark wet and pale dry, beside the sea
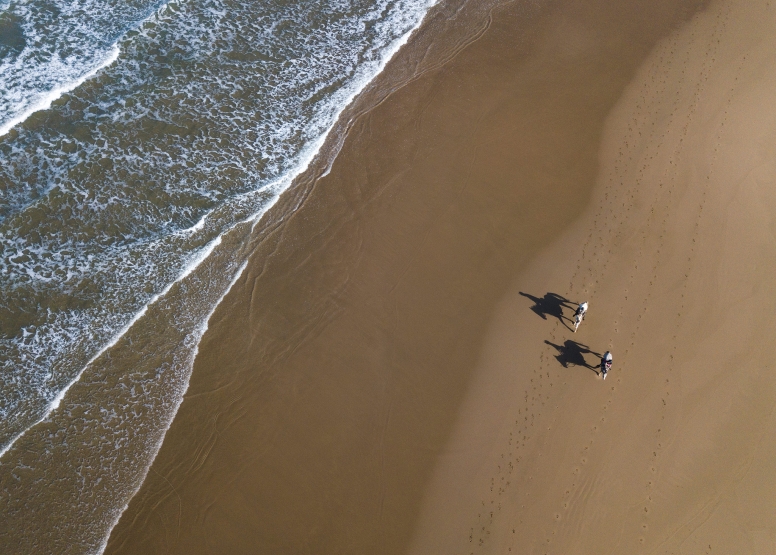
394,372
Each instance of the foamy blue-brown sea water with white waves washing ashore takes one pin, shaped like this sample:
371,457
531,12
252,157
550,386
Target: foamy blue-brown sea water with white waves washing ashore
139,142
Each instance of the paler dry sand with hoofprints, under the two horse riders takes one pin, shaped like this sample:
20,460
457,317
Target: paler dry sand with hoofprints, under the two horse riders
674,452
